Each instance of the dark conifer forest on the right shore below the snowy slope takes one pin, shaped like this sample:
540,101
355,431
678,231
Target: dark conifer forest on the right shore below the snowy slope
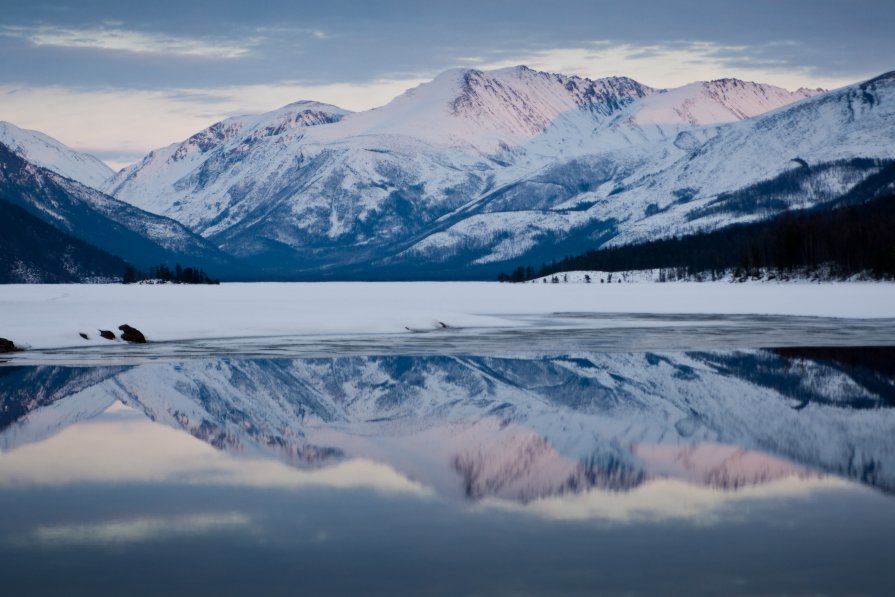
856,239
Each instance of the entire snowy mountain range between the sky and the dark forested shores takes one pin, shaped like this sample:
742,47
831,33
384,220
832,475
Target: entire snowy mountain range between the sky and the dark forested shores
465,175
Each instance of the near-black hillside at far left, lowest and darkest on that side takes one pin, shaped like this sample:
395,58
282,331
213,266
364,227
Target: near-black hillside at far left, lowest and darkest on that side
33,251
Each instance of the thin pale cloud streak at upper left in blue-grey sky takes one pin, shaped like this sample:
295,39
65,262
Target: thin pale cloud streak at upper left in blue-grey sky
116,39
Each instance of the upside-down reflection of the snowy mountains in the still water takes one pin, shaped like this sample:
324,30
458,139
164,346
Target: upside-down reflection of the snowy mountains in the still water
514,428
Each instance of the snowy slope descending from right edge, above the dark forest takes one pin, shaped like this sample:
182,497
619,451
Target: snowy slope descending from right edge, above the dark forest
663,188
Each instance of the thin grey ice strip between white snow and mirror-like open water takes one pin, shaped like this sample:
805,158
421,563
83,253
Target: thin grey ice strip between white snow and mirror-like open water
563,332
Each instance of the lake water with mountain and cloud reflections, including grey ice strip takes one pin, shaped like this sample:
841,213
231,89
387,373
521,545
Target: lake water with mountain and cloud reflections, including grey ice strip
584,454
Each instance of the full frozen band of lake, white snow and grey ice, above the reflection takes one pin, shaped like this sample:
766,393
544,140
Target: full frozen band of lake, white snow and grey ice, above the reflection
329,319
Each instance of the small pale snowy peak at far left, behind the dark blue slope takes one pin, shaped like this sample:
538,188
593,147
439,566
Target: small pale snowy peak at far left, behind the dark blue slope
42,150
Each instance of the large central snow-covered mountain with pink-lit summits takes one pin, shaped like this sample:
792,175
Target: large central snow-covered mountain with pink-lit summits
471,161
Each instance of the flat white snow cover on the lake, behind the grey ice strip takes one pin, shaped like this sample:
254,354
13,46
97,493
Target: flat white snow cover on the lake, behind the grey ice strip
52,316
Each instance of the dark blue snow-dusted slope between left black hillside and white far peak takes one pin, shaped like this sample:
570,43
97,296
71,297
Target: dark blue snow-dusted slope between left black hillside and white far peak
138,237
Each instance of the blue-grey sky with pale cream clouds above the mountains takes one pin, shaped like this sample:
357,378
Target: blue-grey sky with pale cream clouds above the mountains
119,78
